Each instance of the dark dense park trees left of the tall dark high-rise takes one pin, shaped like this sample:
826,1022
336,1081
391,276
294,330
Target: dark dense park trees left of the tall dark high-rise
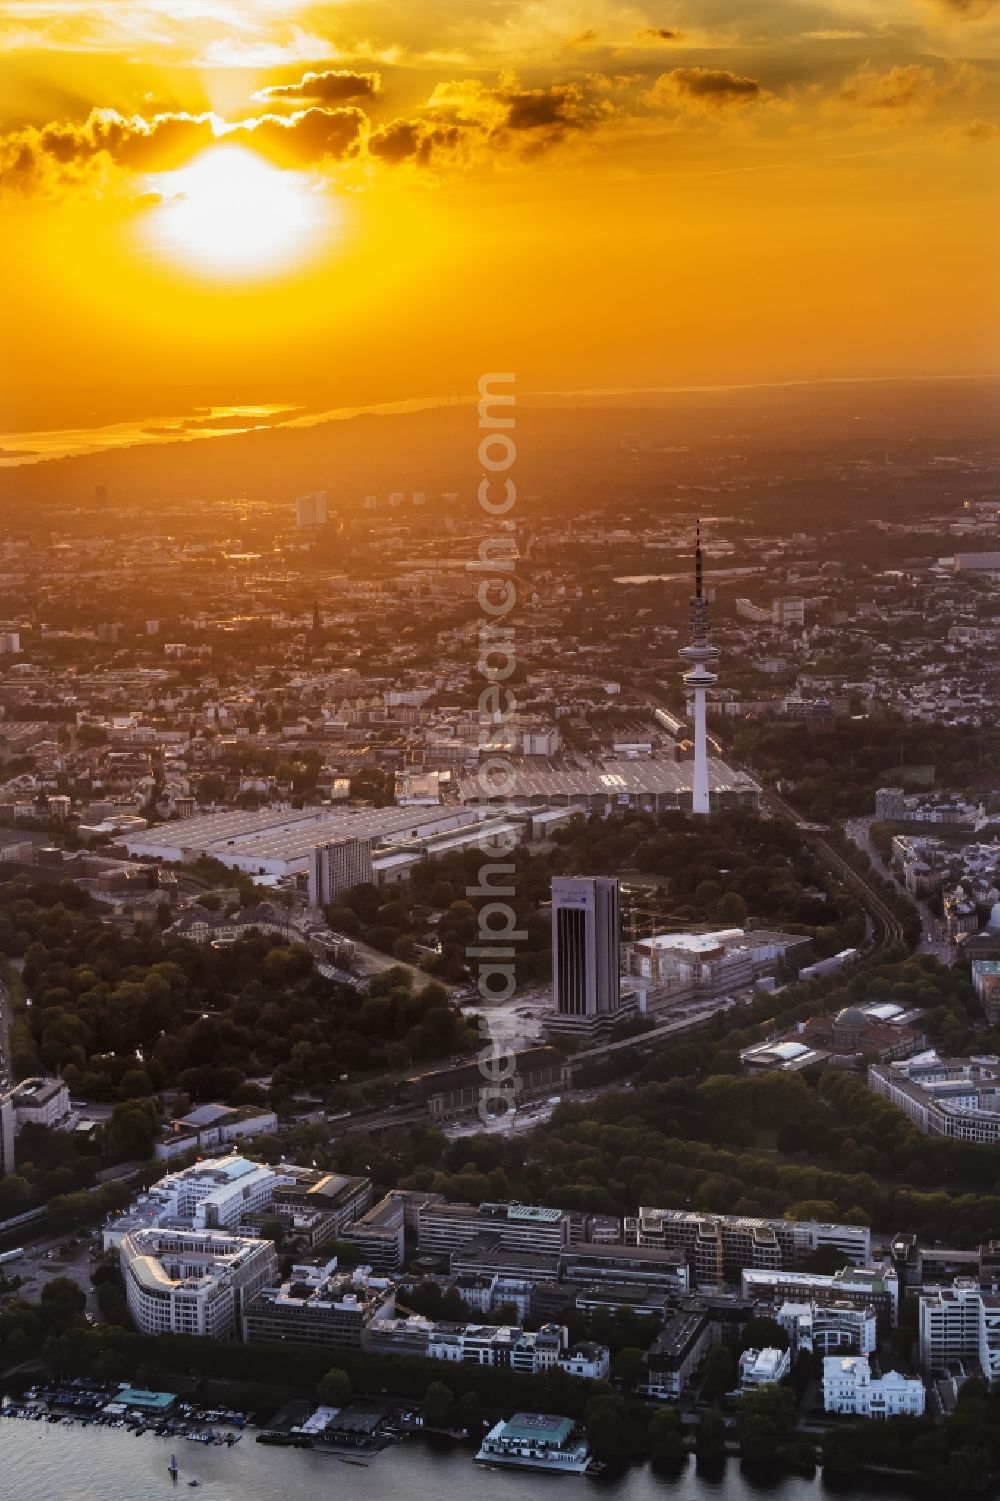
125,1015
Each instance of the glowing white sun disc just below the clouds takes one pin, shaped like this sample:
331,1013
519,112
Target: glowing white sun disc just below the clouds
230,215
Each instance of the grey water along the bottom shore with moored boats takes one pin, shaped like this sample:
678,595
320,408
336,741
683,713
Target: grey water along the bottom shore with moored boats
46,1463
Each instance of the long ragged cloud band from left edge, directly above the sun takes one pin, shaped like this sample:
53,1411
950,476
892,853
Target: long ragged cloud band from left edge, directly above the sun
34,158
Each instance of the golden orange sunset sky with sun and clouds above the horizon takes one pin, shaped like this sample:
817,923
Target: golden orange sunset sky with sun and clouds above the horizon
393,197
